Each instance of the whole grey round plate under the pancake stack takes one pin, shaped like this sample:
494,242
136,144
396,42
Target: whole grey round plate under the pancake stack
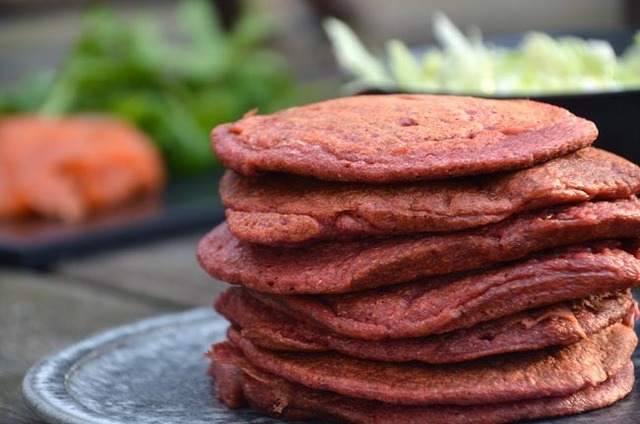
153,372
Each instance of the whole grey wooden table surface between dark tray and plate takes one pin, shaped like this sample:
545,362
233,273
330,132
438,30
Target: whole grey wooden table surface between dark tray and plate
41,312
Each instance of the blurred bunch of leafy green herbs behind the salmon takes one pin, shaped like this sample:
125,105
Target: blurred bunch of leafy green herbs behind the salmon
176,90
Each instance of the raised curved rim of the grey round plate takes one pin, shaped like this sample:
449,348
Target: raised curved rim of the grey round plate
44,386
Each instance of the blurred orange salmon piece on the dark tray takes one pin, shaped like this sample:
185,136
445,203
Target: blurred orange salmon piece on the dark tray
71,167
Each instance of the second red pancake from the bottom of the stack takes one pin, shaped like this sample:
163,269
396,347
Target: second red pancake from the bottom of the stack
508,378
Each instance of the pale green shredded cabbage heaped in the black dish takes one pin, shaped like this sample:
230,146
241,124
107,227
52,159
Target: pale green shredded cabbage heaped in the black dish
466,64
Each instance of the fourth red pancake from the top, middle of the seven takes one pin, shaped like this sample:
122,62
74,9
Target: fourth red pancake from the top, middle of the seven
450,302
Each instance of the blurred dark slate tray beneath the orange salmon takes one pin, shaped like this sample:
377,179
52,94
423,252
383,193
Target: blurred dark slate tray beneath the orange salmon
186,205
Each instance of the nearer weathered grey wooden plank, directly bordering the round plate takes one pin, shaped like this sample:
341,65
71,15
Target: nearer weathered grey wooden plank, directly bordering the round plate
41,313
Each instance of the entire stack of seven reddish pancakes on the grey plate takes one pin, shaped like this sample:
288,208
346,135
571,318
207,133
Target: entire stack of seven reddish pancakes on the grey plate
415,258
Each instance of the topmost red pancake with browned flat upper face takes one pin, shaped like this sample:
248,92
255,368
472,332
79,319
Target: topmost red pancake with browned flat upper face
390,138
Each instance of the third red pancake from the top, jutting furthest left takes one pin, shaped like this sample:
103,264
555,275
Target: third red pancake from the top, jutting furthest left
346,266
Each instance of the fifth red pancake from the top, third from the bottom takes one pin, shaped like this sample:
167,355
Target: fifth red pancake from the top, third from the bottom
559,324
